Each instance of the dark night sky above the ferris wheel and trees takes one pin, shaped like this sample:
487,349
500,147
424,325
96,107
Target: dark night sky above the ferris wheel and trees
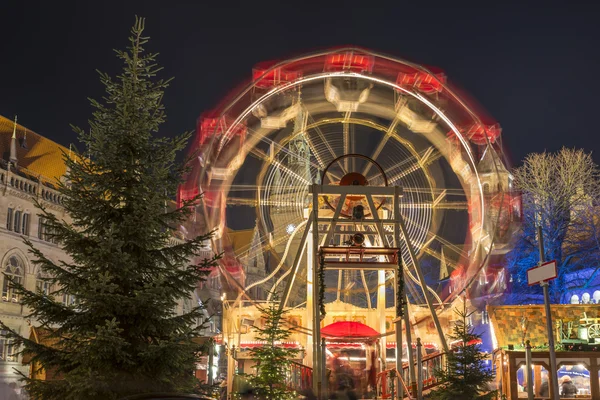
533,66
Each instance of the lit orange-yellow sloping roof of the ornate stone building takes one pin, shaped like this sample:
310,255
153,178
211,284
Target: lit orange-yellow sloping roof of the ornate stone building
41,156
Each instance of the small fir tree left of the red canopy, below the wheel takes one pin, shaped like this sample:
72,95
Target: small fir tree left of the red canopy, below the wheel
272,358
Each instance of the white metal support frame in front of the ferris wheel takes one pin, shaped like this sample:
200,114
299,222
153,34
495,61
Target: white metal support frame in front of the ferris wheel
353,258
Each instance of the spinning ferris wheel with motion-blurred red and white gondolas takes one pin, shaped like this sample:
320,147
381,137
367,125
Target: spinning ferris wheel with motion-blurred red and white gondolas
350,117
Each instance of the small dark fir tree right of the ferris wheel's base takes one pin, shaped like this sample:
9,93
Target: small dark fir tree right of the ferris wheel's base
466,376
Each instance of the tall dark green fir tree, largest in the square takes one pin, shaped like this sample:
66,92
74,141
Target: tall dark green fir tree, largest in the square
121,335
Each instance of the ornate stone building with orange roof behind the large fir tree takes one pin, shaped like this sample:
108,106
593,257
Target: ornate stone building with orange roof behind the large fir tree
30,166
